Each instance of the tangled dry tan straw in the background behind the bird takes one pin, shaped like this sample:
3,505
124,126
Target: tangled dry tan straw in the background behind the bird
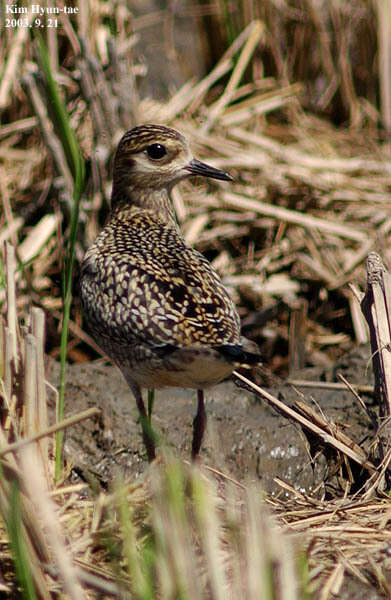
310,200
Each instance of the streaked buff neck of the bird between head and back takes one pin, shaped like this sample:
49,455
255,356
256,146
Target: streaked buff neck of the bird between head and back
156,202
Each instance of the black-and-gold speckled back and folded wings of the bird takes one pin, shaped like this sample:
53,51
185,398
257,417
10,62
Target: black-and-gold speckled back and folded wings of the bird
159,292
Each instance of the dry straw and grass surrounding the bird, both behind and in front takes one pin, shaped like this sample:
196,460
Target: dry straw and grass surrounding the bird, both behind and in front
310,202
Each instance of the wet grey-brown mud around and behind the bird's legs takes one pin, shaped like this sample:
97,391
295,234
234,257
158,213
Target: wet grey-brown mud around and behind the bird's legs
245,437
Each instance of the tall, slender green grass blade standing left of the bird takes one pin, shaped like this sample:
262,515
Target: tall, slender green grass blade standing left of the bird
74,157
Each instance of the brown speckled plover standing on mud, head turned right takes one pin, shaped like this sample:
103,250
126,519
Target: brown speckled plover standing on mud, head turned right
153,304
